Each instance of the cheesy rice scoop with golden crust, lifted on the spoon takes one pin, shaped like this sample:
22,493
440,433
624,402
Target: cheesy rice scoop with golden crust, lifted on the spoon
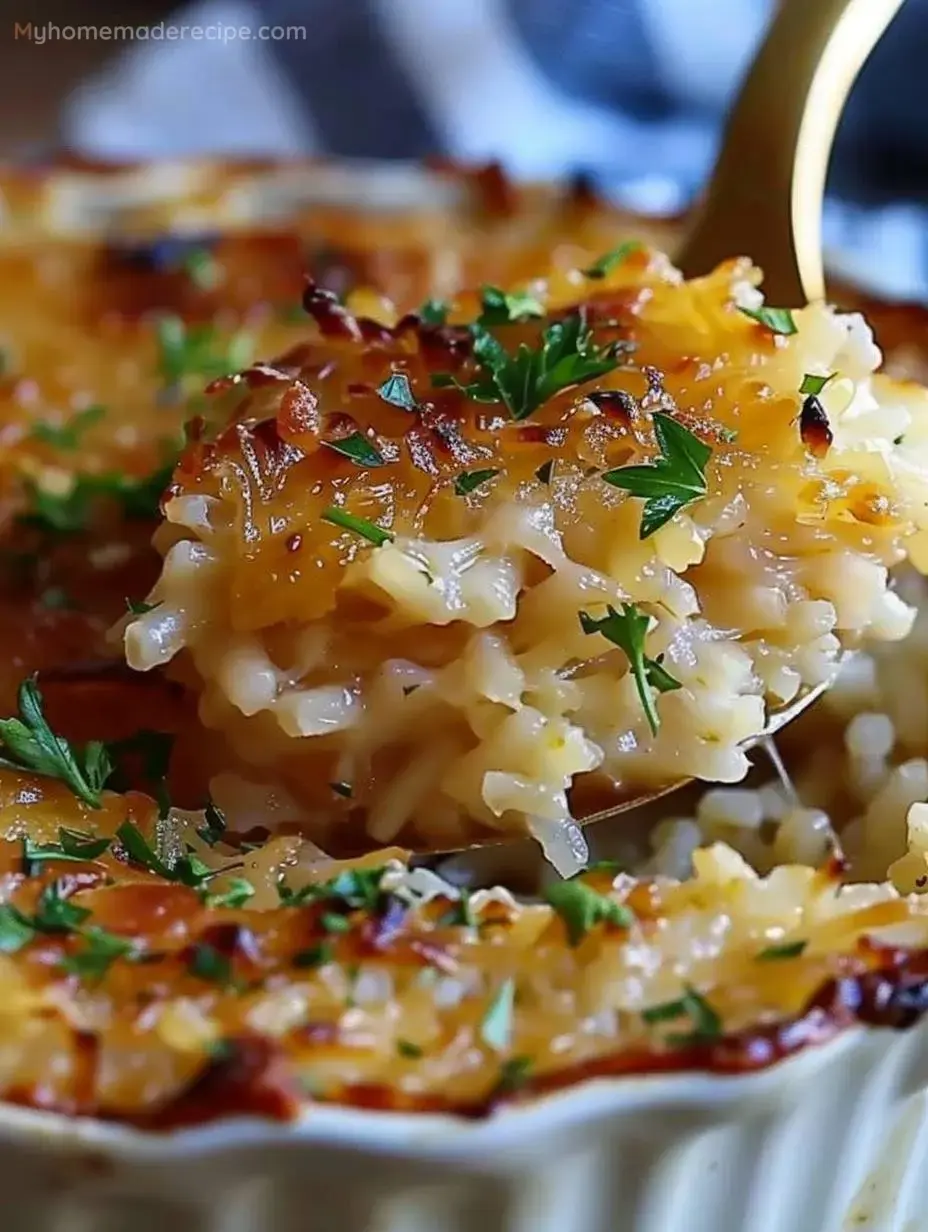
413,583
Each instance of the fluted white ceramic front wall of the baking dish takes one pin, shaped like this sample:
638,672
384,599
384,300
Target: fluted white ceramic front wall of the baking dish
834,1140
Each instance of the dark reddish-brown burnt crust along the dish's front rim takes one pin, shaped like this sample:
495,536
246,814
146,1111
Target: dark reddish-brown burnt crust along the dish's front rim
252,1077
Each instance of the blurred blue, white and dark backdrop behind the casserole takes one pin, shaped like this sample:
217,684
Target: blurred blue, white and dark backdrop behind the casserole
633,92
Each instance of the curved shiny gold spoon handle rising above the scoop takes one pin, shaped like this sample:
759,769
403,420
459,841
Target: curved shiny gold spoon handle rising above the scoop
765,199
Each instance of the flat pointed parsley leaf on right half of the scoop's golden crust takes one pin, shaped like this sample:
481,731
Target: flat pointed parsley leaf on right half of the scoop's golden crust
671,482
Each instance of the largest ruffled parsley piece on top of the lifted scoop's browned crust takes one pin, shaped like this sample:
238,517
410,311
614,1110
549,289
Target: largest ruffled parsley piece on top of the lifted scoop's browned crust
526,381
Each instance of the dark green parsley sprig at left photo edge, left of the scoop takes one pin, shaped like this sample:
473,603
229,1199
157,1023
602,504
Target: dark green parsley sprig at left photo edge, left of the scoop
29,744
